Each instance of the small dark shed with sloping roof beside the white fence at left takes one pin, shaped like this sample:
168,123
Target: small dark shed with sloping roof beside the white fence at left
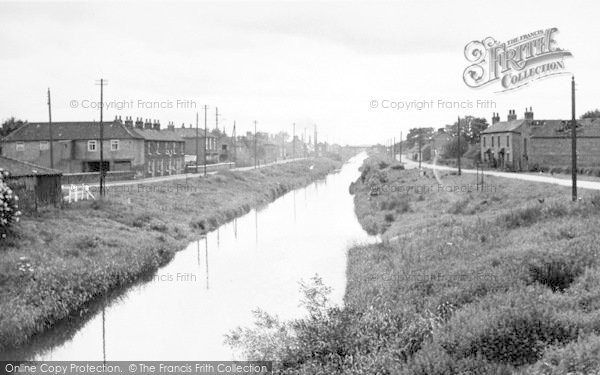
34,185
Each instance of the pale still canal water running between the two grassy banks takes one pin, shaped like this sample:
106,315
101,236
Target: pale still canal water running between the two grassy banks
211,287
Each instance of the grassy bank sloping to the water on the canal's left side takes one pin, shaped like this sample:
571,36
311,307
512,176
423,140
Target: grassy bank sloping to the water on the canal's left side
60,261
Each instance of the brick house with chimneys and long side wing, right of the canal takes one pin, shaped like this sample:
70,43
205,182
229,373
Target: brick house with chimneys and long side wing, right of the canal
526,144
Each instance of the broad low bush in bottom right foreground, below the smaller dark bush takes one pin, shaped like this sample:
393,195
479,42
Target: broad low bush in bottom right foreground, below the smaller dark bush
506,328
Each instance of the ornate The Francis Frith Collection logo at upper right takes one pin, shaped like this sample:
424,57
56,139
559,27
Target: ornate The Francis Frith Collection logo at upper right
514,63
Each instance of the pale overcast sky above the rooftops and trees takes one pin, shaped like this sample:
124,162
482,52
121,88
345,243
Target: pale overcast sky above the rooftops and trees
319,63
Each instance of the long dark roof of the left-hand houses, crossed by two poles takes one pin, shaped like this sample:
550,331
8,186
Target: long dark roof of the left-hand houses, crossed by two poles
38,131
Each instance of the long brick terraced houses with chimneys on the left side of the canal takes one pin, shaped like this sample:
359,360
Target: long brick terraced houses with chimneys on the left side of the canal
140,148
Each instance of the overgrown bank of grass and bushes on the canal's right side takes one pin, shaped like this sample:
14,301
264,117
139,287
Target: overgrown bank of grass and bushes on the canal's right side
499,280
